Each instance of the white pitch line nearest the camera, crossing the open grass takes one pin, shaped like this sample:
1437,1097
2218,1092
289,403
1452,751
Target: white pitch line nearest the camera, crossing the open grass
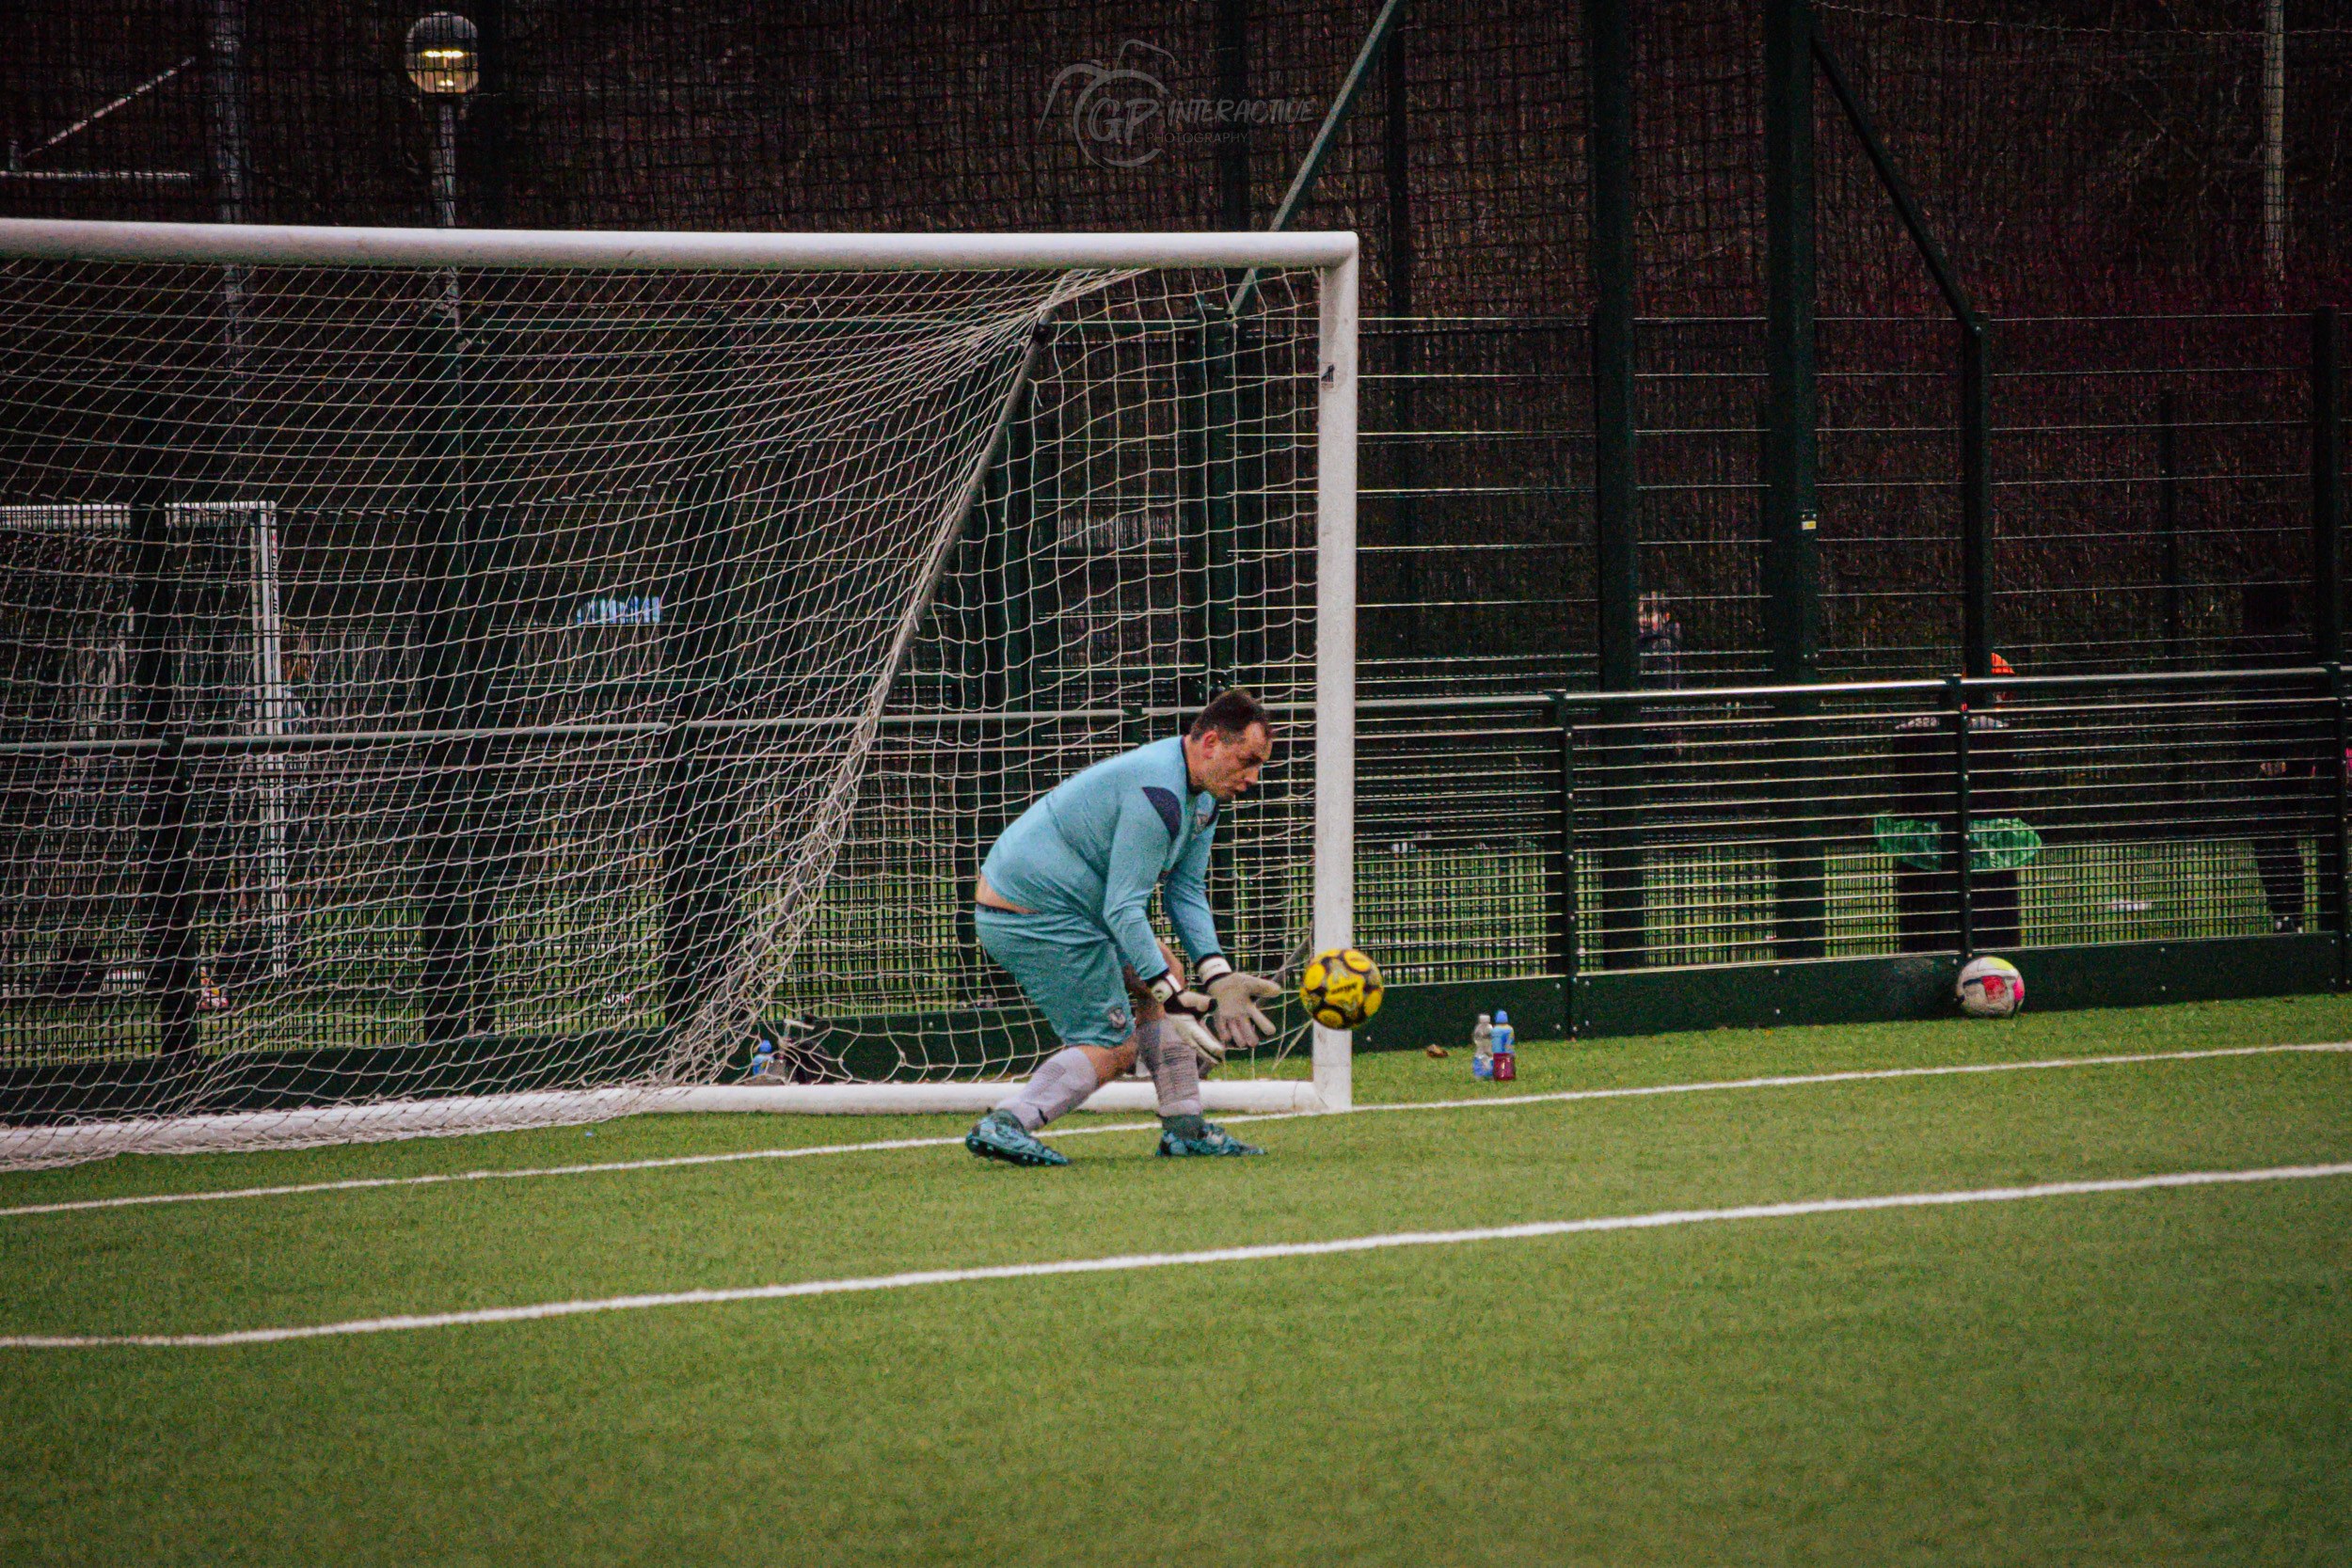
1168,1261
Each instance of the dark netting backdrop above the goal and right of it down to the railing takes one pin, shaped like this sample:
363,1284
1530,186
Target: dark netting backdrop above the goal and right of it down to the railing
2071,173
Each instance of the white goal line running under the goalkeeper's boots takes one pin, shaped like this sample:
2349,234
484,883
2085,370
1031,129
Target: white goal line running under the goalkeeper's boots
1144,1127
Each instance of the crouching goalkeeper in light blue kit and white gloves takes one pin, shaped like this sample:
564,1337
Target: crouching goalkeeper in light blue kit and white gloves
1062,904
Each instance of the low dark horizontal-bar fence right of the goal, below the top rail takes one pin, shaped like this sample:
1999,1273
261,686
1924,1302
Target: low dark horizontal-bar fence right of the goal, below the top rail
1565,833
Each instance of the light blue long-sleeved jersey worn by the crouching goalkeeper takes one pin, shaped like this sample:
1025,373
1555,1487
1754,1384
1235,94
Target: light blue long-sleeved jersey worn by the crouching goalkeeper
1093,850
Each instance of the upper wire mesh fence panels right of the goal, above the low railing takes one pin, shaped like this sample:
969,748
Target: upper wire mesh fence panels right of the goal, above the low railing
2151,497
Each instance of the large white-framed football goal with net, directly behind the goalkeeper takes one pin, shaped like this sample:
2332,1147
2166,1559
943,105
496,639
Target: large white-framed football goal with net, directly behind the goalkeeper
479,681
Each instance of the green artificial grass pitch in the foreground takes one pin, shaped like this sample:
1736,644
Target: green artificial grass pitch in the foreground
2102,1379
